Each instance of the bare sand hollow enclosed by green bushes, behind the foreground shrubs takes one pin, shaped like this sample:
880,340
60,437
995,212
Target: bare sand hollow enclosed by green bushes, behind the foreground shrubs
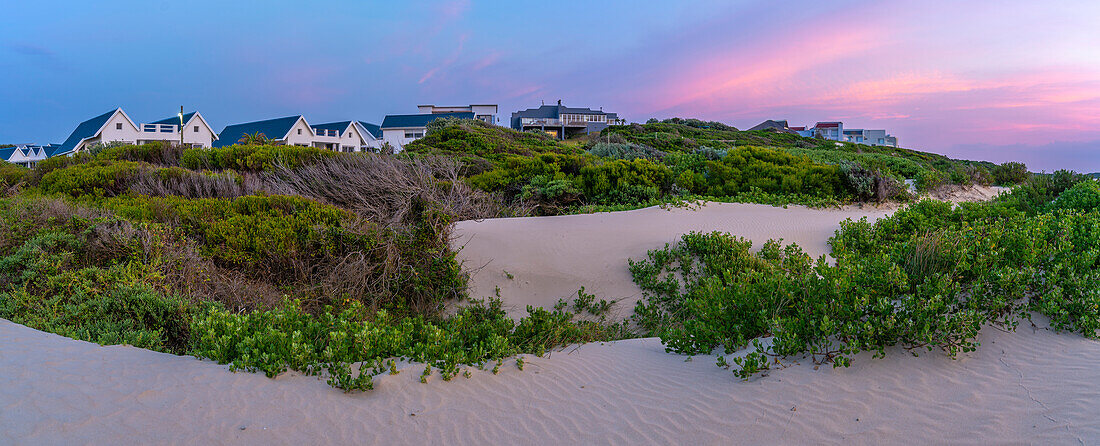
551,258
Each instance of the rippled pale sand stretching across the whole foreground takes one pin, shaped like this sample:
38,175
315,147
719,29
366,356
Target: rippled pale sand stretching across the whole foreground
1038,388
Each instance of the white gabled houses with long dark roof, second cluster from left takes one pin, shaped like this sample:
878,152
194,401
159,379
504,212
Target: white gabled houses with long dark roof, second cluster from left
340,137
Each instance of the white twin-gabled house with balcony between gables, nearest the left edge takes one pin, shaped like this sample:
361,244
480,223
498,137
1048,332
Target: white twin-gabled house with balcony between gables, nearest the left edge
117,127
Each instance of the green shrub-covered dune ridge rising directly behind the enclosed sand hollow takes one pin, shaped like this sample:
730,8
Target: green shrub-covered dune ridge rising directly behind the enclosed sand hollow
676,160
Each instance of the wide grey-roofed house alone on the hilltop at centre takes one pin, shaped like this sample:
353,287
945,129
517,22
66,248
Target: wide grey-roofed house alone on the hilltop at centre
563,122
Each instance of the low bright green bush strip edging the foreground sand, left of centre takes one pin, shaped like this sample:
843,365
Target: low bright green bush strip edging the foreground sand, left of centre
354,345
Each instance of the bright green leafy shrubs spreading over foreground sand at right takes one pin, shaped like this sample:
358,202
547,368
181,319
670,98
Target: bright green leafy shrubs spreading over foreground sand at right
932,276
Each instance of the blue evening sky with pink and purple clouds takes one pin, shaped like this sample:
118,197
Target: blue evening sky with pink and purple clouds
998,81
